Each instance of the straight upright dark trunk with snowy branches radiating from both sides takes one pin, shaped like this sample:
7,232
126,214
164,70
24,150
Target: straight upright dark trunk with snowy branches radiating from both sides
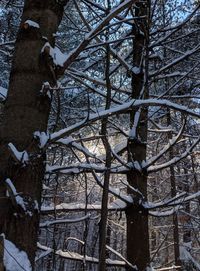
137,217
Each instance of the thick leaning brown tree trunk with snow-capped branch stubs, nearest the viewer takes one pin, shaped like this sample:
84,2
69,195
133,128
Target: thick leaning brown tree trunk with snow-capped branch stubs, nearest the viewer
26,111
